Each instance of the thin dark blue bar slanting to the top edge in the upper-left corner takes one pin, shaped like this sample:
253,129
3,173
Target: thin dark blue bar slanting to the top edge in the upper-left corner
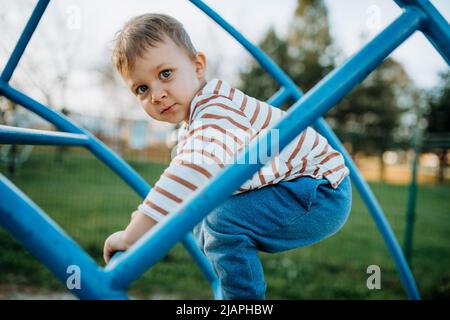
24,39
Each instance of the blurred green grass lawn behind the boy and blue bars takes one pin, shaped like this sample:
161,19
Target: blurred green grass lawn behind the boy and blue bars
90,202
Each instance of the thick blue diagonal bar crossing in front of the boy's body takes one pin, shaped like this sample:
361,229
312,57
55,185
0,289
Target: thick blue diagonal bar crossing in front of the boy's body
156,242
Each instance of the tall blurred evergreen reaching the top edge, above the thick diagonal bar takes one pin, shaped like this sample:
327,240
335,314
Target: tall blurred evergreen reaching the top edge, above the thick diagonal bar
306,55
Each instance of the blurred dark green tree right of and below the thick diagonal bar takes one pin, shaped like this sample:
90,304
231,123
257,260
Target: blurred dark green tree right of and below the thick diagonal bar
370,118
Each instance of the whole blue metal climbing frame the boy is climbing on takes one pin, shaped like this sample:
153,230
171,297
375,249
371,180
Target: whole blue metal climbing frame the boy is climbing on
53,247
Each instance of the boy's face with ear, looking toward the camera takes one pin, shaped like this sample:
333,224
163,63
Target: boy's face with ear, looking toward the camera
165,81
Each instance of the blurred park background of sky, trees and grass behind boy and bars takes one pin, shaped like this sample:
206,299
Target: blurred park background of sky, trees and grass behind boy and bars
399,114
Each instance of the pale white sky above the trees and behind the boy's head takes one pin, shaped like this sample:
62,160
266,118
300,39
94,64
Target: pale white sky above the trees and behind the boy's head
81,32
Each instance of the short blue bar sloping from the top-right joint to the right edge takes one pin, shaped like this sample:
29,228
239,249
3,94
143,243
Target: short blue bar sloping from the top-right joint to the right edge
435,28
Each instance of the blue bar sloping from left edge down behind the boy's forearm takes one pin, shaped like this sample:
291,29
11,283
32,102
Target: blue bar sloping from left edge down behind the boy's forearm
114,162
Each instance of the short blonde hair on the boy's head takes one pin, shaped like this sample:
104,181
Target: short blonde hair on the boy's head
144,31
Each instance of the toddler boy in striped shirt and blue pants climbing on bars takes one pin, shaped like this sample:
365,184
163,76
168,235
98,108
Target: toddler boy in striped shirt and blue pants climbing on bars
300,197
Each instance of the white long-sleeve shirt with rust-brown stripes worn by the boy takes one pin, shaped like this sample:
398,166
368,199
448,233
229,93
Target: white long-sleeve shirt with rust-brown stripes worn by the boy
222,121
